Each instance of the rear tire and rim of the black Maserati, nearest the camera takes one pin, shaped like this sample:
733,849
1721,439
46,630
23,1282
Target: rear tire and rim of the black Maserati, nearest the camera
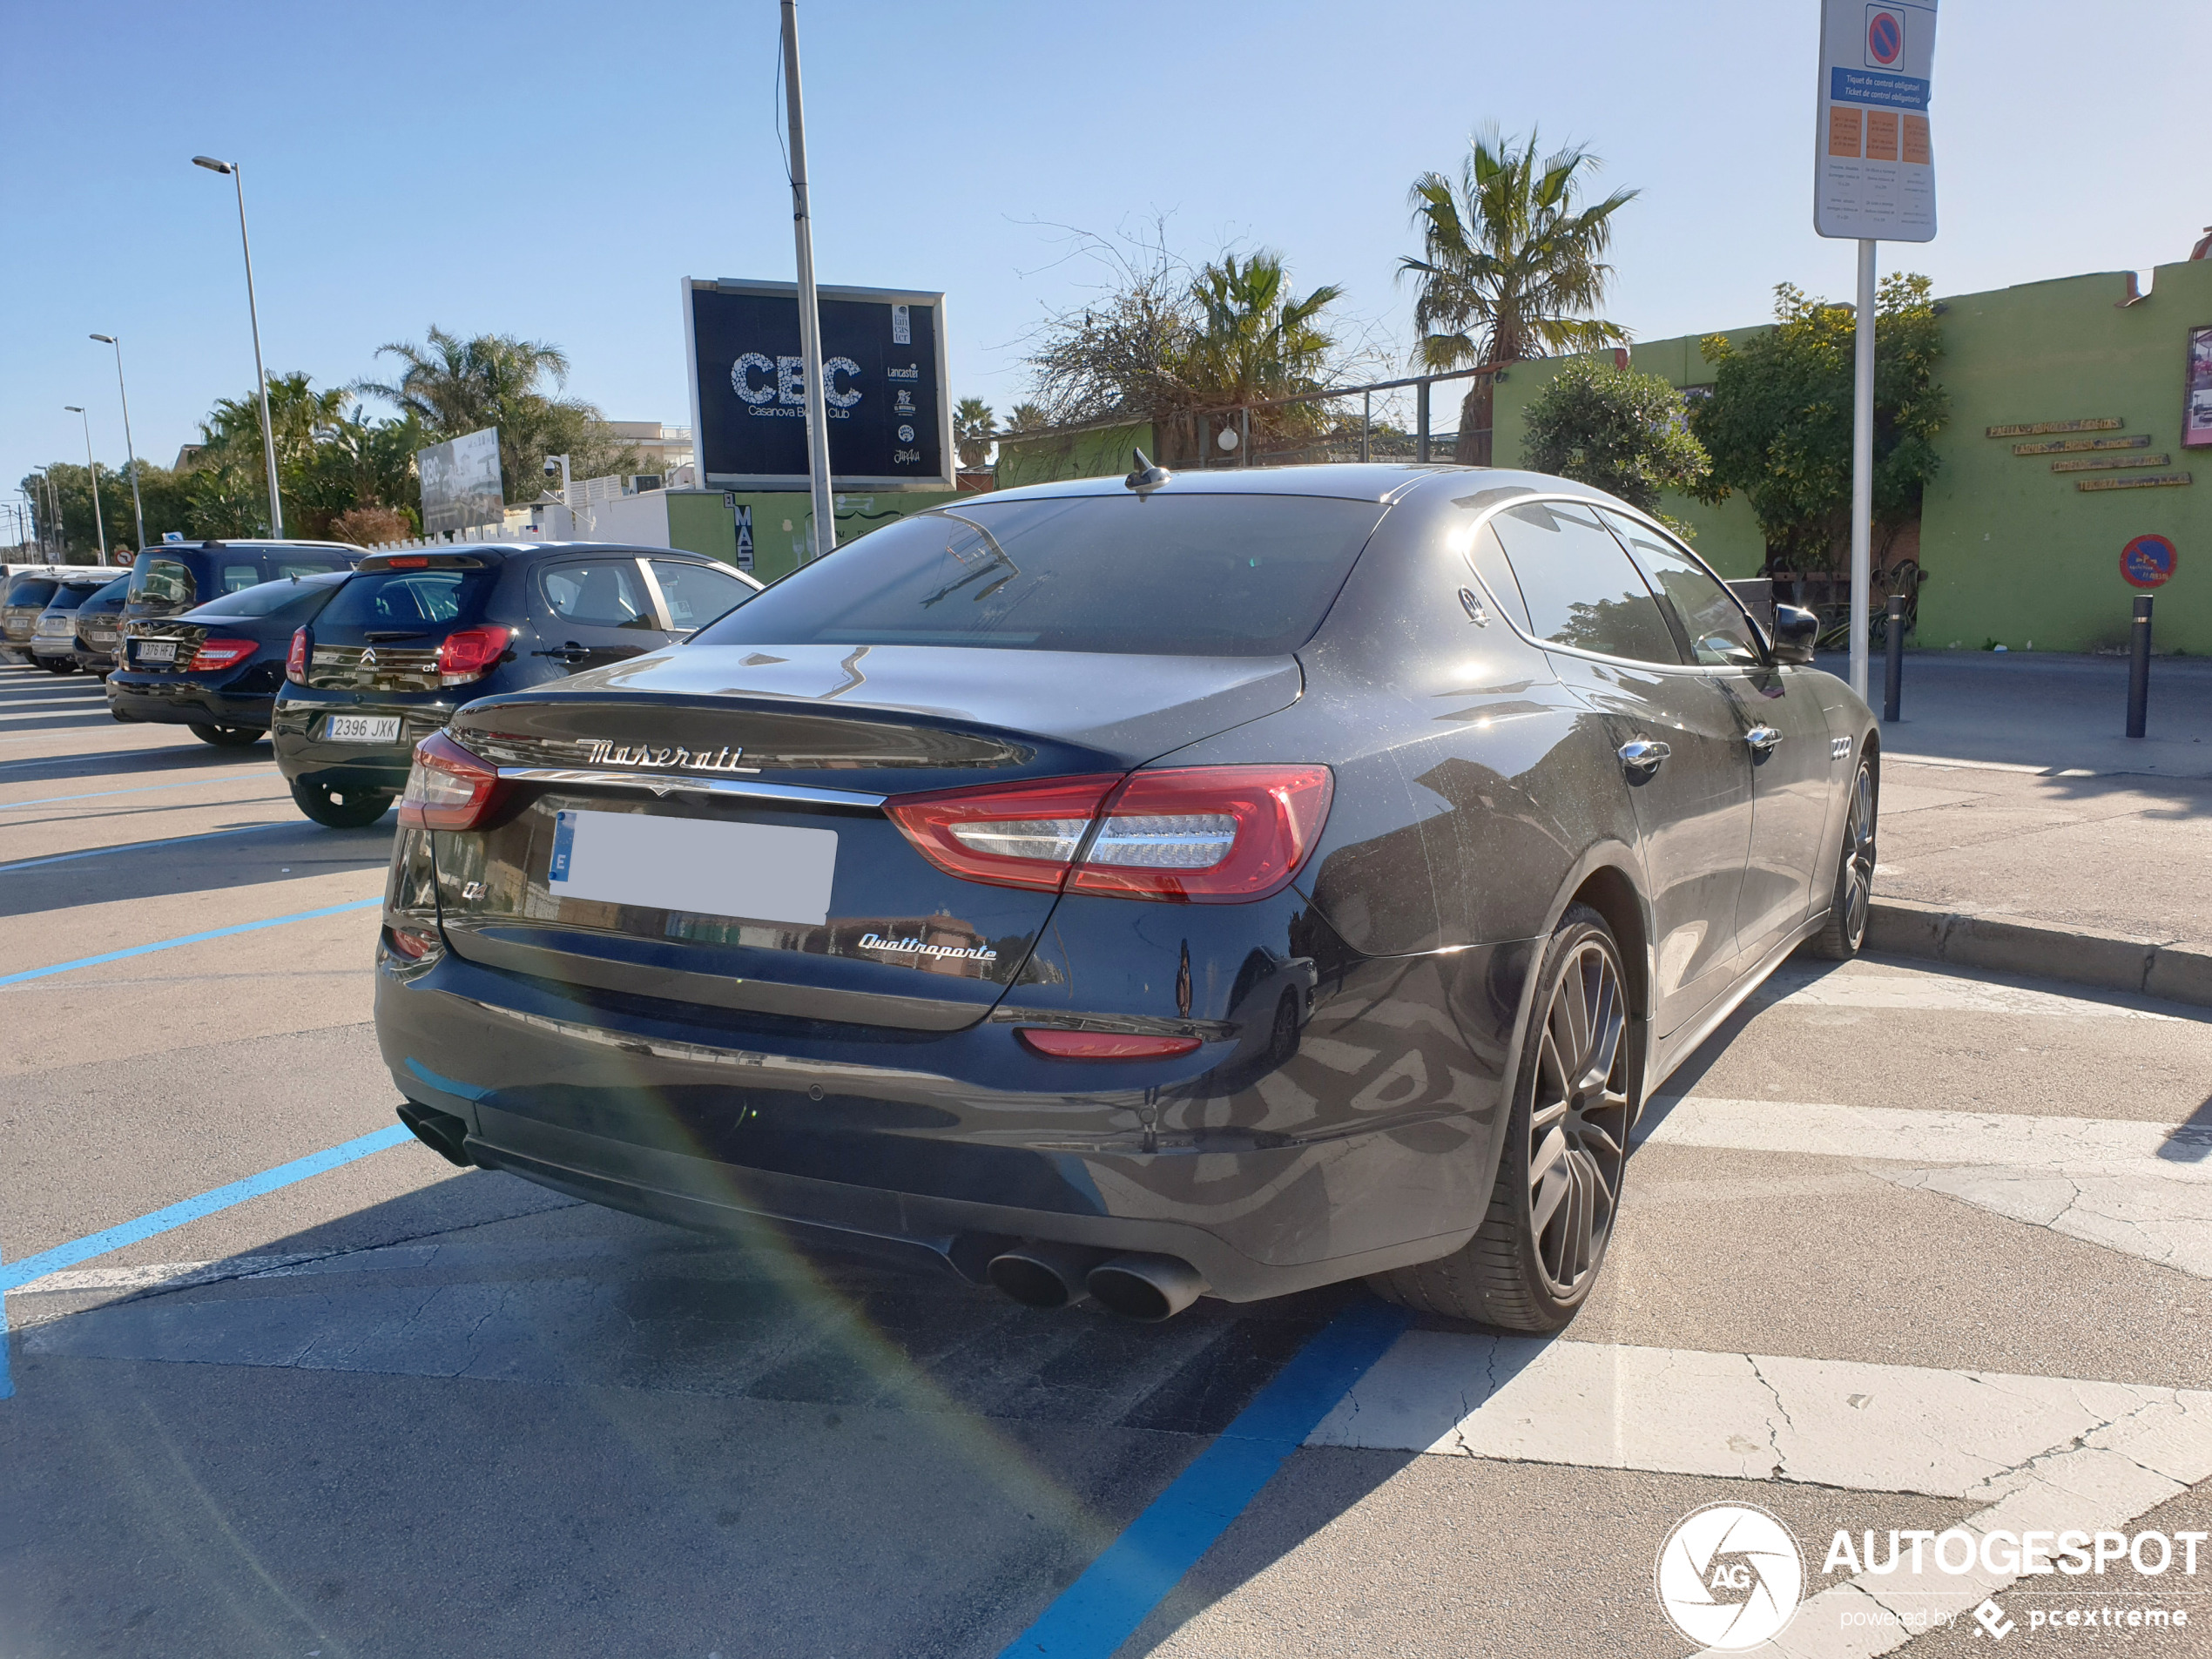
1538,1251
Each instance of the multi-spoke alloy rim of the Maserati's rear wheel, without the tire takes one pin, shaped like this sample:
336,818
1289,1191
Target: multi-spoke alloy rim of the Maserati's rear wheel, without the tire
1578,1120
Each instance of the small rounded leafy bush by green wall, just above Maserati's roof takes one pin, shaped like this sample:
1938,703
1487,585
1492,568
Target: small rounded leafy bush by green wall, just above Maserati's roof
1616,430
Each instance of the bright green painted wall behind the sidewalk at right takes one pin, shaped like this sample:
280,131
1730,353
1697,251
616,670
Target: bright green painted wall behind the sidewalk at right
2014,552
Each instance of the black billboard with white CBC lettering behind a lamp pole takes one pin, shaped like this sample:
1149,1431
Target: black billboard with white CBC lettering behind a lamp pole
884,362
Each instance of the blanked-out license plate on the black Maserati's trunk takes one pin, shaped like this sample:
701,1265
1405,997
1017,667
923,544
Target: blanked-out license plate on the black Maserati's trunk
747,870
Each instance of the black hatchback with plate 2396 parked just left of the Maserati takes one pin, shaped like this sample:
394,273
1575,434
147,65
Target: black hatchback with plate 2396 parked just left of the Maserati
415,636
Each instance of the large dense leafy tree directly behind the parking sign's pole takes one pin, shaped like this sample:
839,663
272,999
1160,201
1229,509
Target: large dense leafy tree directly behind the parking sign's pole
1780,419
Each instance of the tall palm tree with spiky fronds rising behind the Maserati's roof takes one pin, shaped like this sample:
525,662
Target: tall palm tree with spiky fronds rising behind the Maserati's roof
1512,267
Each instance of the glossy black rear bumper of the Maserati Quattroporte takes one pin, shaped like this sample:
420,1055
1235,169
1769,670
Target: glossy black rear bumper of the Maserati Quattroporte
897,1138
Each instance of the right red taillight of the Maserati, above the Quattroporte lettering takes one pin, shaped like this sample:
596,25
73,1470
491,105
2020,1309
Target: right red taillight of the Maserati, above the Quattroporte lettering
1191,835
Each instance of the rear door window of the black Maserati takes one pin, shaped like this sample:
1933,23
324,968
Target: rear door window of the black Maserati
1580,587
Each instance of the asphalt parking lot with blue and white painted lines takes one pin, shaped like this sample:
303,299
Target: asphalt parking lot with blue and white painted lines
1901,1251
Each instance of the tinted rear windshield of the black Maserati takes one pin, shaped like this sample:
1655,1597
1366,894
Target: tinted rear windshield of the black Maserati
1187,576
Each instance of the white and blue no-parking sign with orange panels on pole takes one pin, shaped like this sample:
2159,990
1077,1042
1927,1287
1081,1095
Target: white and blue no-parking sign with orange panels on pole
1875,167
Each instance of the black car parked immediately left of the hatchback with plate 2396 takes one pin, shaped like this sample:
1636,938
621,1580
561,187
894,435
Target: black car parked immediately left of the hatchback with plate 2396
218,669
